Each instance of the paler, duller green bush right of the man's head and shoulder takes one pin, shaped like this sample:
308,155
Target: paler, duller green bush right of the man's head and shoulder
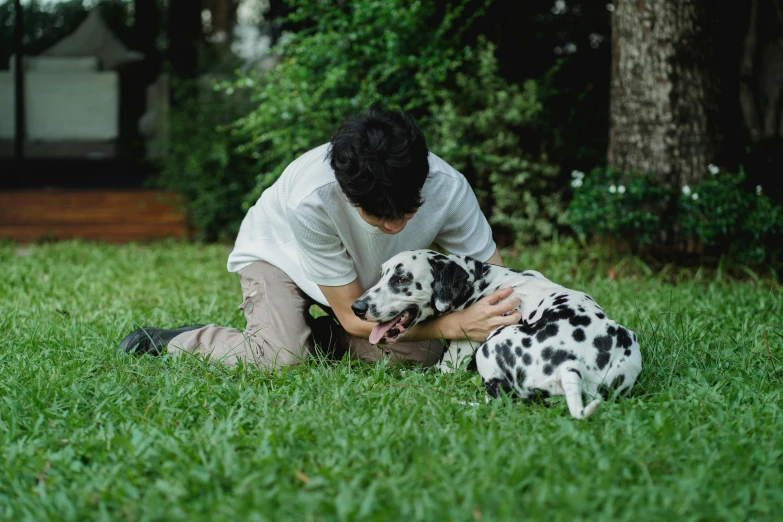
476,126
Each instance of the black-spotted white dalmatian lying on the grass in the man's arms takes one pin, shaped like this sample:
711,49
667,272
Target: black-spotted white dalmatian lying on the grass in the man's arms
564,345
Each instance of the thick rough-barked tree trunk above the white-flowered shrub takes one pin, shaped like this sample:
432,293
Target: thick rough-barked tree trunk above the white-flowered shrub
663,109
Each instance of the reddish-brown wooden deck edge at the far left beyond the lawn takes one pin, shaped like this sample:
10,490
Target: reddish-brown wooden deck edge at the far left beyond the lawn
115,216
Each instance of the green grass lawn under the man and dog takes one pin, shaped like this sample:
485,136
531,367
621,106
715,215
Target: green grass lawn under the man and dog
88,433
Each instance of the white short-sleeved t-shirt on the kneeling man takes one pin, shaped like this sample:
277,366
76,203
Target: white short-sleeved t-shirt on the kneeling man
305,225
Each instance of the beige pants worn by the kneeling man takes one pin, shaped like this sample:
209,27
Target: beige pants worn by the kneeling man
280,330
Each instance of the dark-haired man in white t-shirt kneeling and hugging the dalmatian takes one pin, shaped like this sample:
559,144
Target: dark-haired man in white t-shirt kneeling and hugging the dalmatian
319,235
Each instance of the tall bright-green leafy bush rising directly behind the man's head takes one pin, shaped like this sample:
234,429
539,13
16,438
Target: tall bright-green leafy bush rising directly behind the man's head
392,50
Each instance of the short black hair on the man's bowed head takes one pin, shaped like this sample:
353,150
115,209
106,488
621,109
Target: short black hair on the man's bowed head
380,161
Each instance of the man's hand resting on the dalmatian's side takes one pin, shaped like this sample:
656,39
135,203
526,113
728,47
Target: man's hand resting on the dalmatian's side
482,317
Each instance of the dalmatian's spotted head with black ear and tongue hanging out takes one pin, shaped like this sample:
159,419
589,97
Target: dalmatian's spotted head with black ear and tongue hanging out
415,285
